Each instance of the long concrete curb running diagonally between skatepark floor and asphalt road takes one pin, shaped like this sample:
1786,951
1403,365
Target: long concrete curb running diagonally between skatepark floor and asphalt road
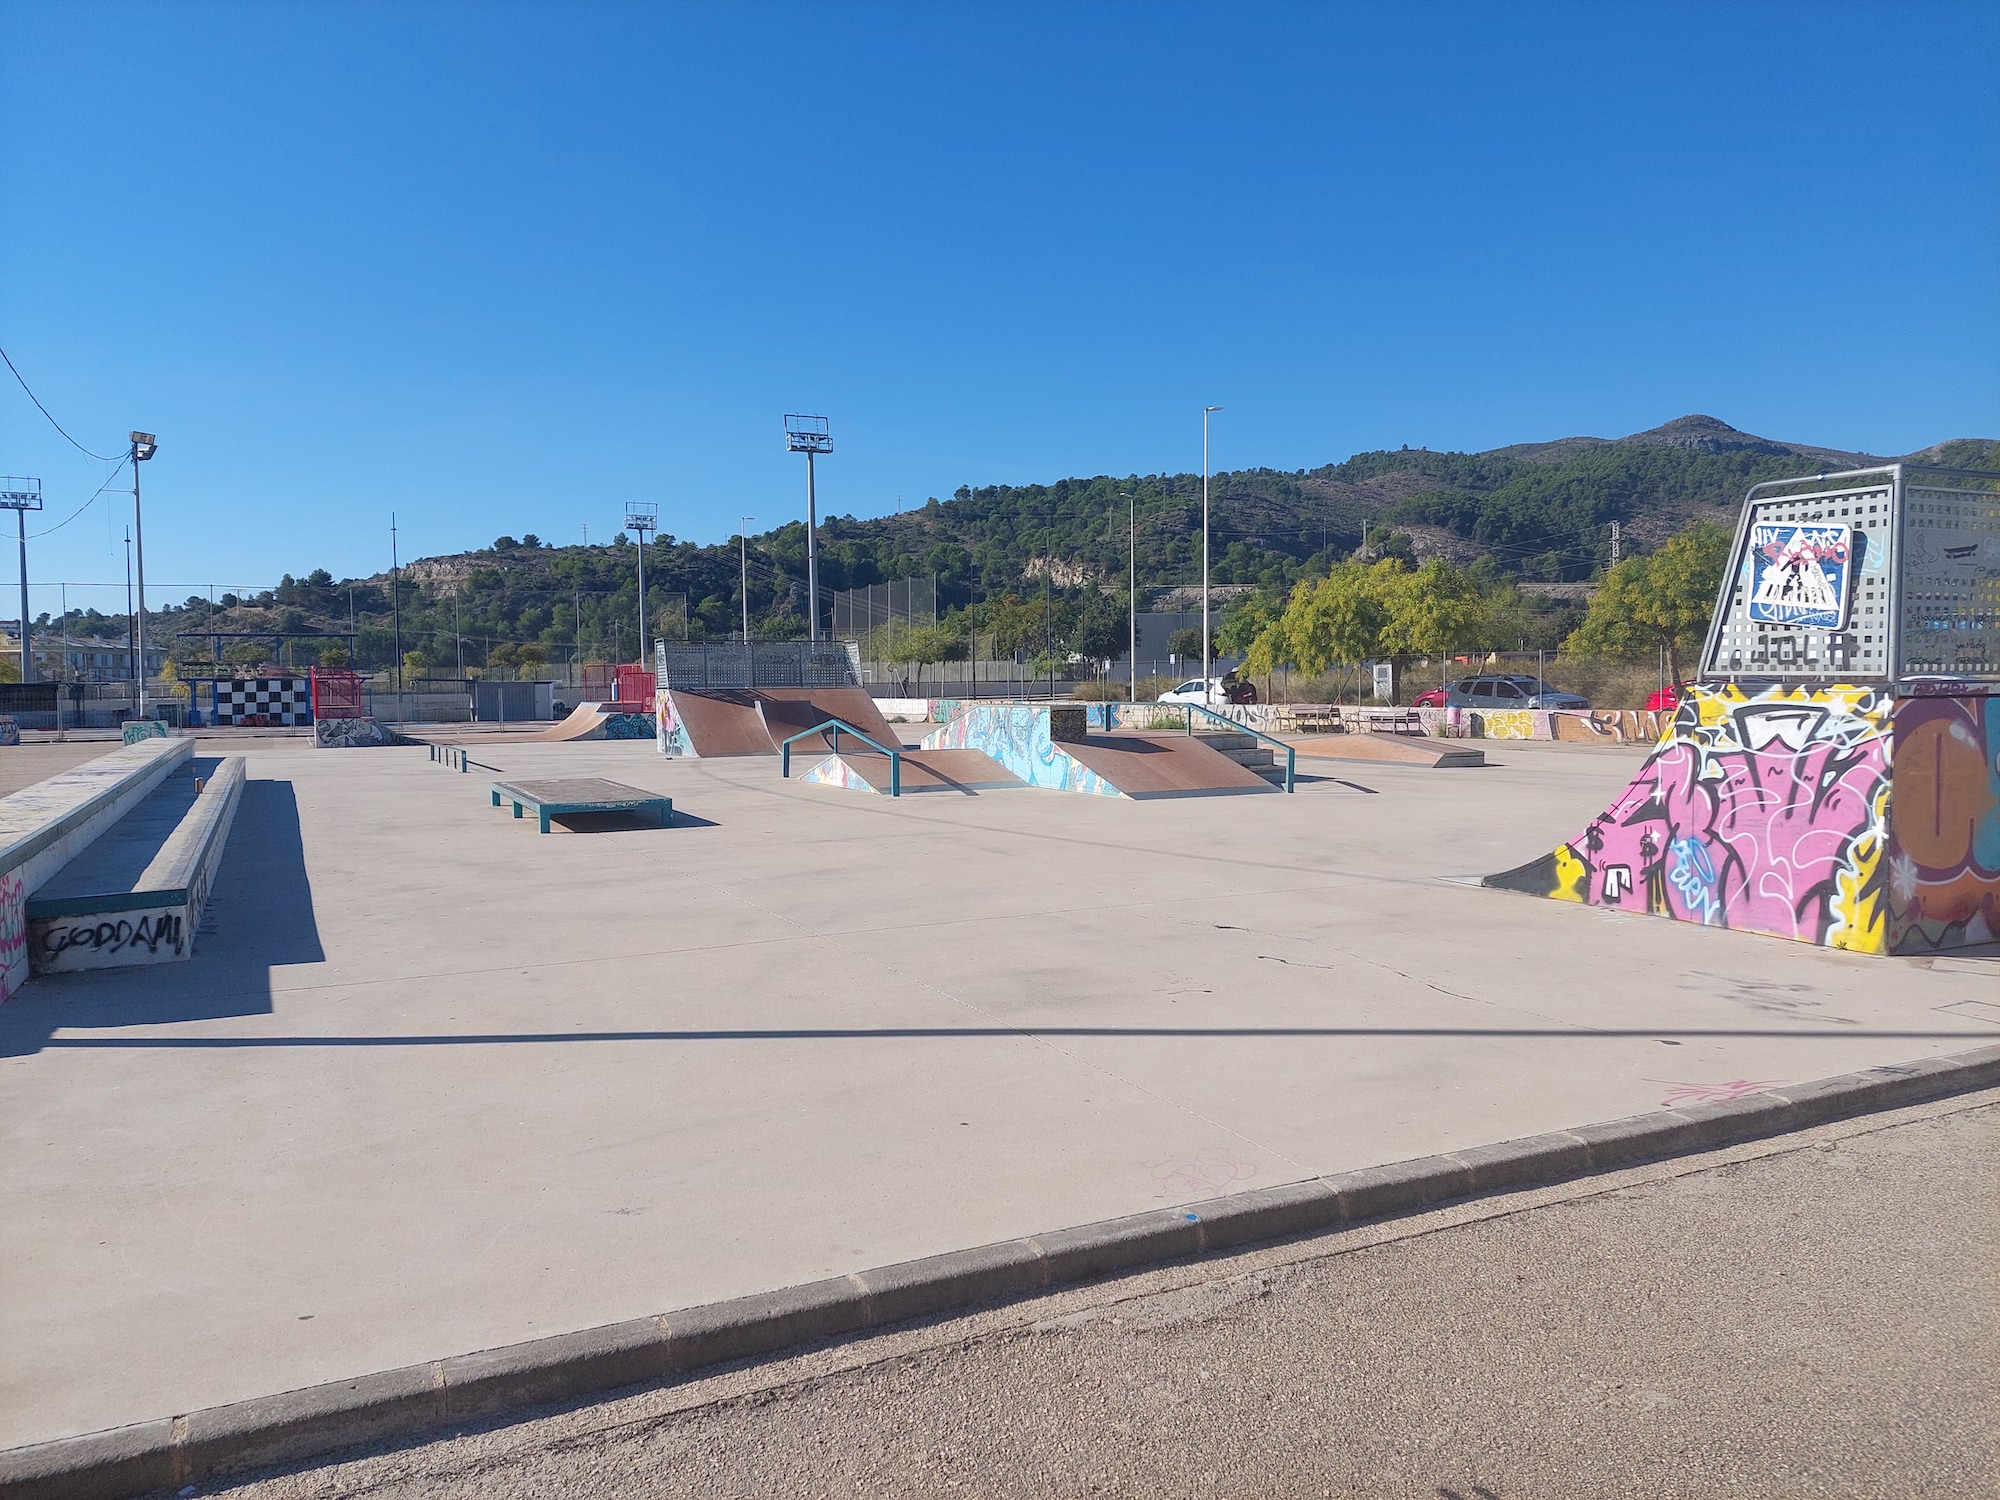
427,1399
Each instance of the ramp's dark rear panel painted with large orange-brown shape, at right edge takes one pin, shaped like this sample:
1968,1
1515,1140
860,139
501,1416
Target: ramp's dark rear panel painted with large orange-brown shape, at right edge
1945,825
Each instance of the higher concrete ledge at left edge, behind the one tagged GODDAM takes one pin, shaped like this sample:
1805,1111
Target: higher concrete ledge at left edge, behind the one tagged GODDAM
49,825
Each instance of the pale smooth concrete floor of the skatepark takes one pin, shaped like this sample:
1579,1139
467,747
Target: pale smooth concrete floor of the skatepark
435,1083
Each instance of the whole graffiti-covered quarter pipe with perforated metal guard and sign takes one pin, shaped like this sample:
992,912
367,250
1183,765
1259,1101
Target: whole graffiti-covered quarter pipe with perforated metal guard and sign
1793,801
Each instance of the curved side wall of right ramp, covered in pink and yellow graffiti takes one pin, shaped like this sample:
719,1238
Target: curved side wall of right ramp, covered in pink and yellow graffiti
1765,813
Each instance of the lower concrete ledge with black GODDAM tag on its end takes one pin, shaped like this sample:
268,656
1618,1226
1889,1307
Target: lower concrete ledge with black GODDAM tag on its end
139,893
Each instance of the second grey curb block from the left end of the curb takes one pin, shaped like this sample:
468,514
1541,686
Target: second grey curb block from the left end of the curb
313,1421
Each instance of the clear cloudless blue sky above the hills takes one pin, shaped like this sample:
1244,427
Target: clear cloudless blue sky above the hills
507,267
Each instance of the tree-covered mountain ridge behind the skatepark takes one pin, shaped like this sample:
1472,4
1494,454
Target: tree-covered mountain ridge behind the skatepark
1533,511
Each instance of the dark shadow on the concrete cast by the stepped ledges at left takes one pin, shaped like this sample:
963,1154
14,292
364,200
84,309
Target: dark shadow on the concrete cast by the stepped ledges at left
261,917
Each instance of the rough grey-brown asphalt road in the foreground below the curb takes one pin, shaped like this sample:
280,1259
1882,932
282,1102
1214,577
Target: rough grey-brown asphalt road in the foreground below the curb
1817,1317
